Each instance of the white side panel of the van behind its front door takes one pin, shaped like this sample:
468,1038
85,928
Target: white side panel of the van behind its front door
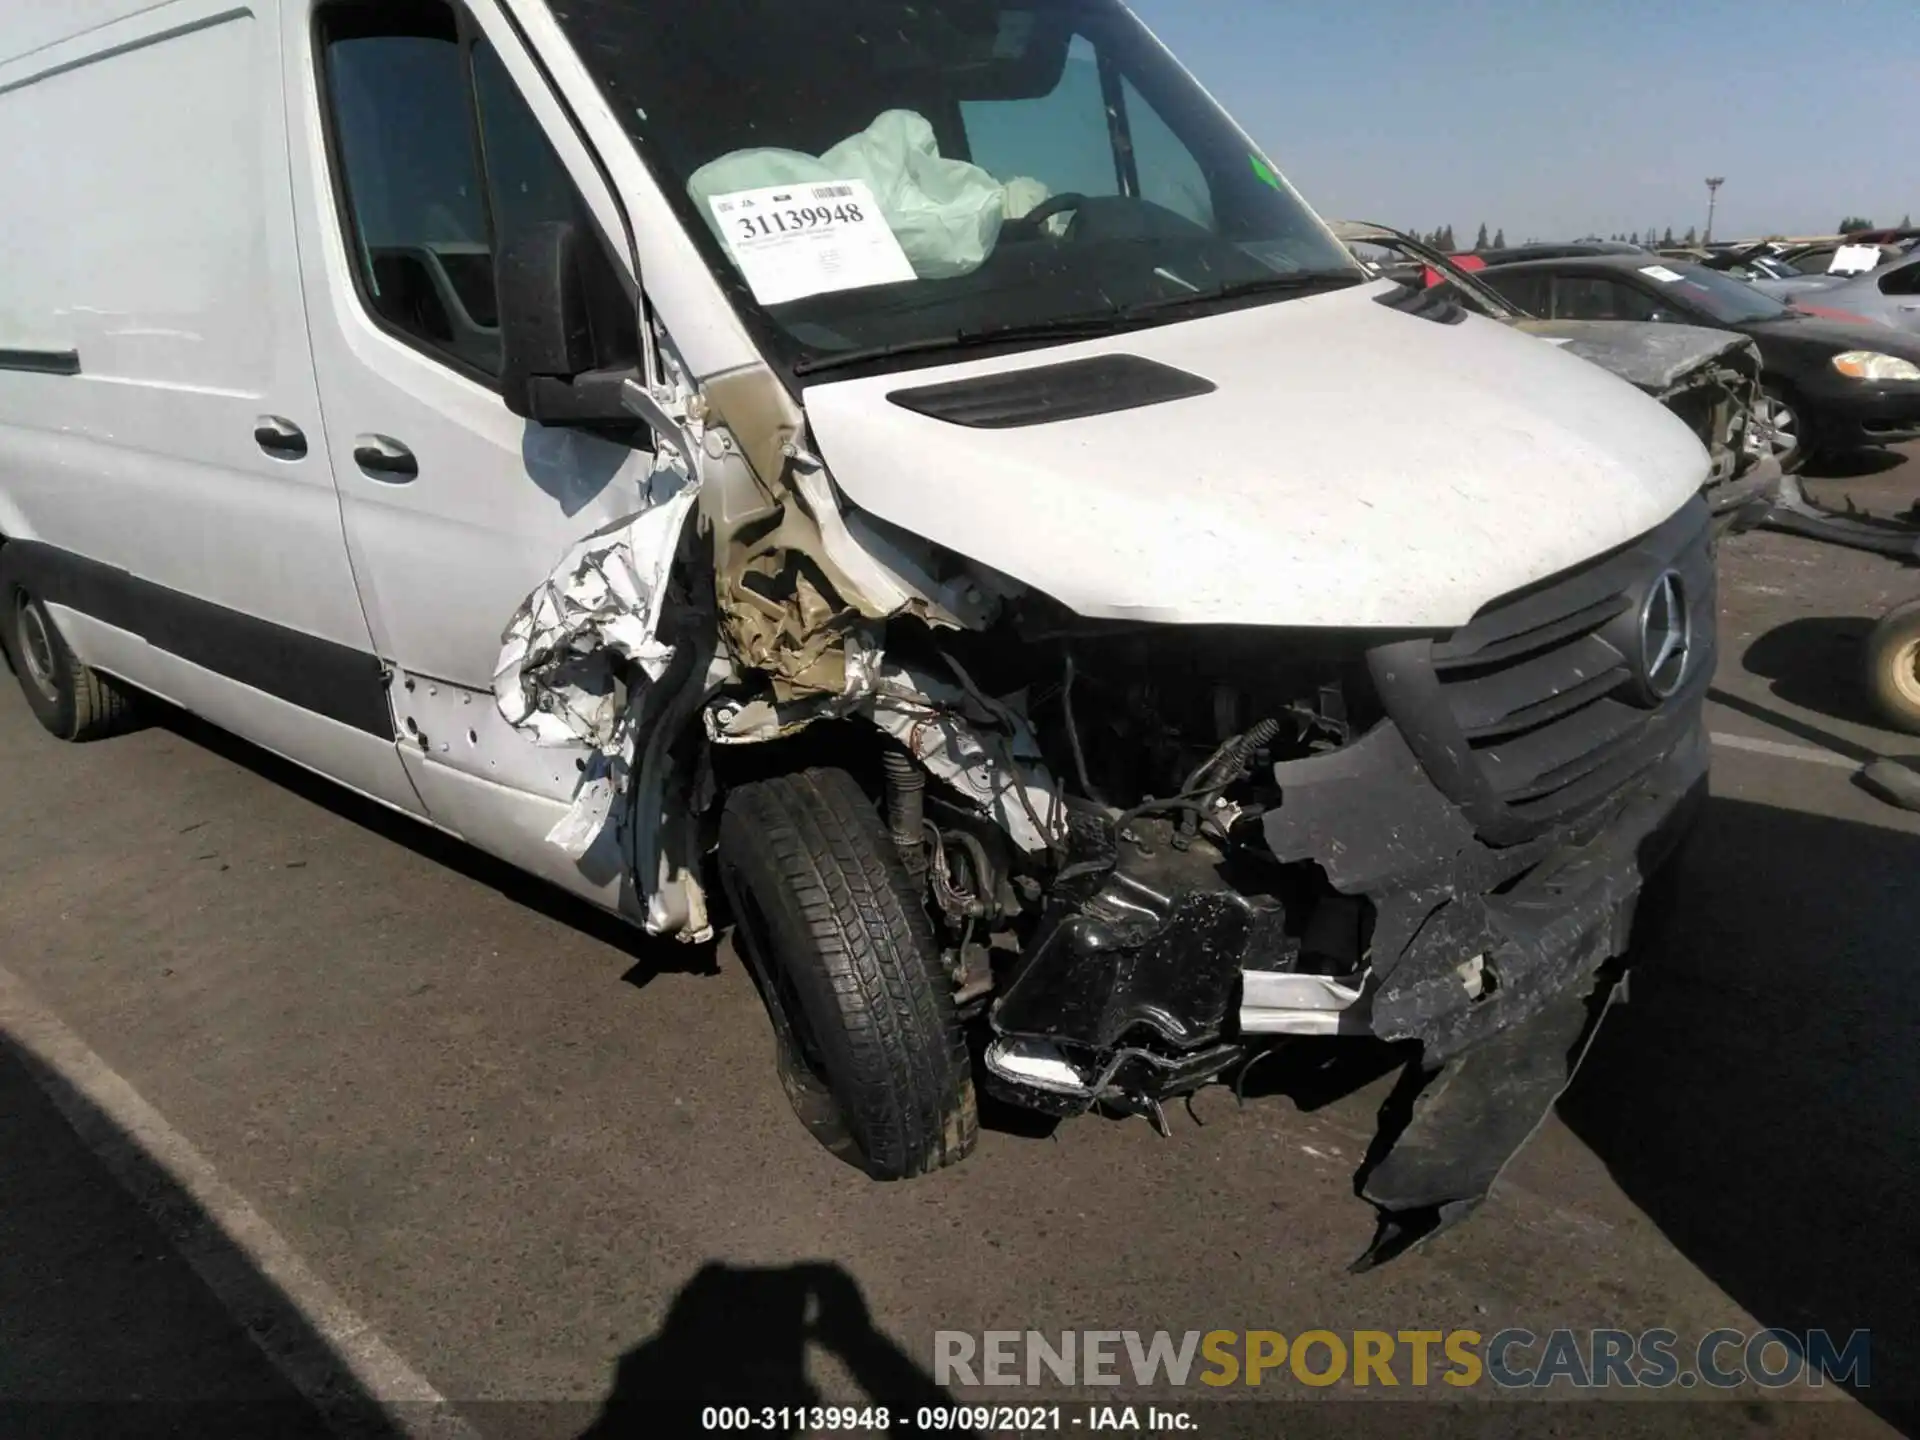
149,229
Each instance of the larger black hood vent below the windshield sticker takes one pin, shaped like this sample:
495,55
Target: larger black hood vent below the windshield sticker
1055,393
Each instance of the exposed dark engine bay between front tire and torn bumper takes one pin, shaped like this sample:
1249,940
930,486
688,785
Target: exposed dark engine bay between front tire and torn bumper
1115,959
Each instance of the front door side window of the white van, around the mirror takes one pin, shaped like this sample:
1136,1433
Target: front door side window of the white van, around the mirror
441,162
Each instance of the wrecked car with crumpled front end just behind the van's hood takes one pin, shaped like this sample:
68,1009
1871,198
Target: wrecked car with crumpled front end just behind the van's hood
1706,375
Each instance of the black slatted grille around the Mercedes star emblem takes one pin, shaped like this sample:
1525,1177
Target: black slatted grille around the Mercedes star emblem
1539,709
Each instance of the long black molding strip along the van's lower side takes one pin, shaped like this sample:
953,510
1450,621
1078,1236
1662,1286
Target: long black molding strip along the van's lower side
316,675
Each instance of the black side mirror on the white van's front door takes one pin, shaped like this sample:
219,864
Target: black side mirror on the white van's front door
550,366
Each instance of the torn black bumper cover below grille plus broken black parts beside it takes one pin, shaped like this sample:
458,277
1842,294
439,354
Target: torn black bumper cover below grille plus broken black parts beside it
1497,961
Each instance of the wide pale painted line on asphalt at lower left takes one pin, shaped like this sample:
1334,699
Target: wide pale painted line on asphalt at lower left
241,1259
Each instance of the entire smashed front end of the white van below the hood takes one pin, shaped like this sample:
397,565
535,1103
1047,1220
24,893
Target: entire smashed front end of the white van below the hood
1143,855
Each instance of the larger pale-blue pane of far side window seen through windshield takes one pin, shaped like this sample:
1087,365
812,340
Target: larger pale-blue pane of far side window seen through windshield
1063,139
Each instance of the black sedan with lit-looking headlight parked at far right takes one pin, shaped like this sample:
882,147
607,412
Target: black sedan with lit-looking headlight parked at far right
1829,385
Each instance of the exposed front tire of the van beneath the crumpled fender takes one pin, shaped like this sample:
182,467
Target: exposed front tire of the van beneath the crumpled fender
852,974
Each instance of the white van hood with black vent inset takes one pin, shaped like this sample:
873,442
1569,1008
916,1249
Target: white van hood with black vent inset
1347,466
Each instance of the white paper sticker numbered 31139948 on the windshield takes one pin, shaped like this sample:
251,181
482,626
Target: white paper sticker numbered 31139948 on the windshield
809,239
